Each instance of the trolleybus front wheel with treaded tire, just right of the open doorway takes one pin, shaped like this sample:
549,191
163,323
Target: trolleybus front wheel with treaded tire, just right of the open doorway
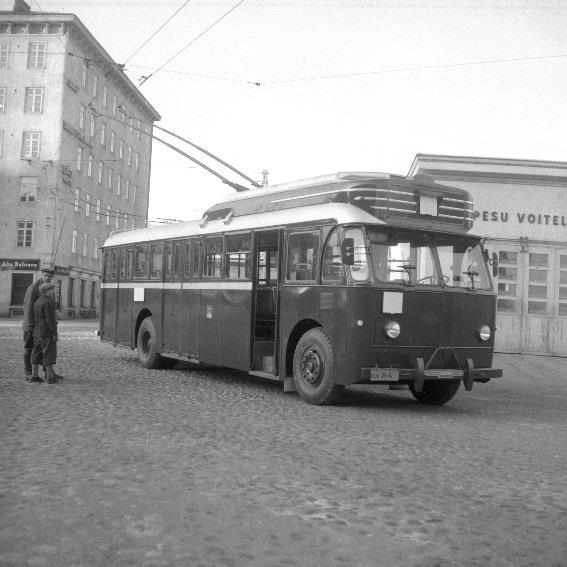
313,369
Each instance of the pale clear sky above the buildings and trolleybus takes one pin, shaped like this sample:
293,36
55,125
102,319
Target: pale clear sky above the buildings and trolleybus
303,88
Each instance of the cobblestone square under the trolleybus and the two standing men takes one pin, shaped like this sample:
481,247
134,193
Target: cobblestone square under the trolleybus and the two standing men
118,465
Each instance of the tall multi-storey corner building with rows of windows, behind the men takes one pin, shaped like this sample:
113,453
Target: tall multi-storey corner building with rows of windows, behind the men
75,152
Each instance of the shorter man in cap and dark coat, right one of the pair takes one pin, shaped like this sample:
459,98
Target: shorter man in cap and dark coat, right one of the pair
45,335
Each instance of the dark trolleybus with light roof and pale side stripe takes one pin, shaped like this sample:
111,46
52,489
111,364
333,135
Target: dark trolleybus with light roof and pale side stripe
351,278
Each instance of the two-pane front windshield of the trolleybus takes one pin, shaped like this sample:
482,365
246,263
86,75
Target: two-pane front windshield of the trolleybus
420,258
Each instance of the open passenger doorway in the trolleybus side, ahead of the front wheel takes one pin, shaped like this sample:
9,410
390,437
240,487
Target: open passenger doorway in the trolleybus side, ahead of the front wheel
265,302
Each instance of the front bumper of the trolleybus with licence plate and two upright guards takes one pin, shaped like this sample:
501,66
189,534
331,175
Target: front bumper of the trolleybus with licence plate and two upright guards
419,375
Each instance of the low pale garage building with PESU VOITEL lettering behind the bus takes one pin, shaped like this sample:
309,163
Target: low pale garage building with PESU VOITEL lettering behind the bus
521,207
